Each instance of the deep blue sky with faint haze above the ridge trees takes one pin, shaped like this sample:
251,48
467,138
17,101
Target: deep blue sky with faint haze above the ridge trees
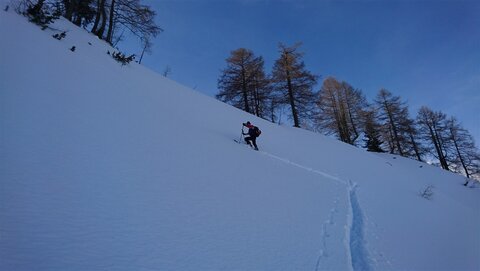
427,52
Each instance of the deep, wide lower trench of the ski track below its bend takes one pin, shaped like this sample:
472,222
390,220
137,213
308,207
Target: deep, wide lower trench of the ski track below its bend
354,242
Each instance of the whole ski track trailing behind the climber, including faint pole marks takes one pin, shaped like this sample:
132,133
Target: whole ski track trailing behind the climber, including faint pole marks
355,244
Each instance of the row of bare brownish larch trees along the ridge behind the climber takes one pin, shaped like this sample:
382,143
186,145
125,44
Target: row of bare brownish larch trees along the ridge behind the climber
340,110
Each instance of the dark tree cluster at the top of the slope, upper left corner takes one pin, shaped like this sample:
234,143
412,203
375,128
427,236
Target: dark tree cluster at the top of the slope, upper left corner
107,19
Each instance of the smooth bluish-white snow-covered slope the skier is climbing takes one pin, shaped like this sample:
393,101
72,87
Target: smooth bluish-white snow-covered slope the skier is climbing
104,167
